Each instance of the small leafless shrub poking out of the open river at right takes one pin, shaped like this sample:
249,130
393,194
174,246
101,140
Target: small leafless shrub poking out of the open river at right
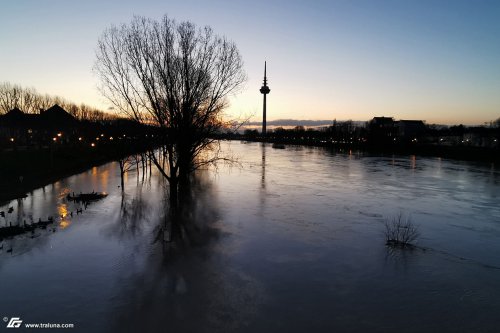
400,231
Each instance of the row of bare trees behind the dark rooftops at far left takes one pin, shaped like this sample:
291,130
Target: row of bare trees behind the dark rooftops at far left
31,101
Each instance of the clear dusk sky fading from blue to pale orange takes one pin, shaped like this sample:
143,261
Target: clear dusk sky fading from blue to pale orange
428,59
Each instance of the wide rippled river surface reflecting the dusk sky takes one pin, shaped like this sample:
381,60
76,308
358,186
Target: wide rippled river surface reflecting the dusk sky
291,241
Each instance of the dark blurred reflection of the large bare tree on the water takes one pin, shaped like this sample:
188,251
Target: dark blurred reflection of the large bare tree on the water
180,278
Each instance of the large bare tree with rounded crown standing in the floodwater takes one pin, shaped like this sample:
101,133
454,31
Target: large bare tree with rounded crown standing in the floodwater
177,76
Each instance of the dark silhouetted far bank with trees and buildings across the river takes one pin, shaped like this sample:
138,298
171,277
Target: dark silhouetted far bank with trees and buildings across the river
383,134
